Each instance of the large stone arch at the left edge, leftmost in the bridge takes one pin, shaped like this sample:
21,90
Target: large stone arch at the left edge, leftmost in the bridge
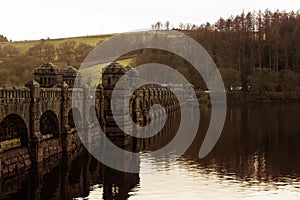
14,132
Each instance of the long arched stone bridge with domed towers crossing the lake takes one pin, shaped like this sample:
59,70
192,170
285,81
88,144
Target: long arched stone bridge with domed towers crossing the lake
37,120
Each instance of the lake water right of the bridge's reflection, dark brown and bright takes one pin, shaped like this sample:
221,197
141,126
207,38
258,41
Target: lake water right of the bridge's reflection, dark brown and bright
255,158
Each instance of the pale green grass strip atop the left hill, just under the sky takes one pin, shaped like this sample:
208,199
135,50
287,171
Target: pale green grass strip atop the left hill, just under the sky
23,46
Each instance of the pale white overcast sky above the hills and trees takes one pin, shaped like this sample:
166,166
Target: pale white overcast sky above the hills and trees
37,19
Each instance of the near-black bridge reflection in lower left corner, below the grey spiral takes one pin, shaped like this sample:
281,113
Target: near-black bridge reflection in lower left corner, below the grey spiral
70,178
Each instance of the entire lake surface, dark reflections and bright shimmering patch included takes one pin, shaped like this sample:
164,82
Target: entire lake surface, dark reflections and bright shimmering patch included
256,157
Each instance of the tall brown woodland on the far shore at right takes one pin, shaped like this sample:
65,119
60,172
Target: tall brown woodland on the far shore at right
257,49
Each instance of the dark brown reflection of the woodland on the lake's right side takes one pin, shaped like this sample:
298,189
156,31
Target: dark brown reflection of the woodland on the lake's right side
258,142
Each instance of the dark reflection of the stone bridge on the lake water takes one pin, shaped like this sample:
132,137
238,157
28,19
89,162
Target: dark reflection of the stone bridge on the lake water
75,175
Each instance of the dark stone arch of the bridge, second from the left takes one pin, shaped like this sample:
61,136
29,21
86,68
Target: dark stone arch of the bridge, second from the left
49,124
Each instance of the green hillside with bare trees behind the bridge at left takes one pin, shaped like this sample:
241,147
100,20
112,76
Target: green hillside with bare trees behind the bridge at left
18,59
